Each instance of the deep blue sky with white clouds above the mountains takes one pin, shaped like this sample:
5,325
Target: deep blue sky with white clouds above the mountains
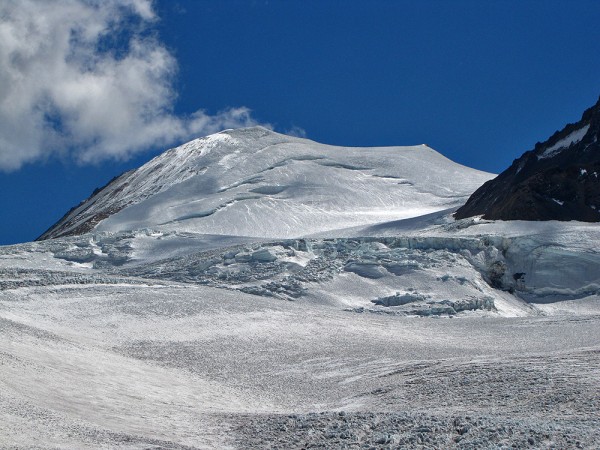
479,81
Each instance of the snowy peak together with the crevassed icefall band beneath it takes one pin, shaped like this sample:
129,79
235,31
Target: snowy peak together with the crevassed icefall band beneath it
257,211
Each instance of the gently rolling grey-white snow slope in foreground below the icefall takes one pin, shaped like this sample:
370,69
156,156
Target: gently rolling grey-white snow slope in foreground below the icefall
190,367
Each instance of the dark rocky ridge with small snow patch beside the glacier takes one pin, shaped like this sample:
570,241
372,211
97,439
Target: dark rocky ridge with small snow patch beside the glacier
558,180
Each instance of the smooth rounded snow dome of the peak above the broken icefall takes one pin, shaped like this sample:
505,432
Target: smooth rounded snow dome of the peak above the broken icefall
254,182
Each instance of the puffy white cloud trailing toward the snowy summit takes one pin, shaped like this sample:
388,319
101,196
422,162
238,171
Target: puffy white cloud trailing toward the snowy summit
64,90
